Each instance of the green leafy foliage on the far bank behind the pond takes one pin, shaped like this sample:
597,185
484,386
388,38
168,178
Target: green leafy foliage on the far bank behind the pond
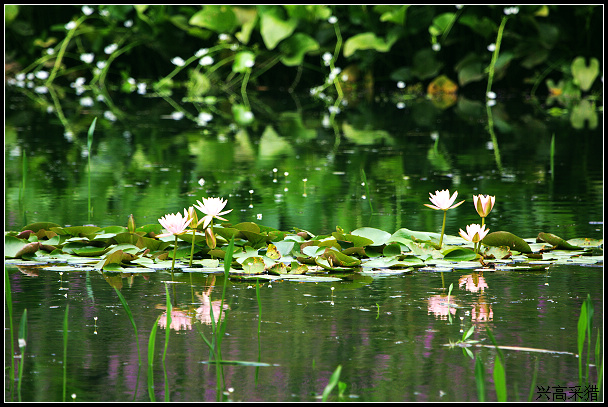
381,43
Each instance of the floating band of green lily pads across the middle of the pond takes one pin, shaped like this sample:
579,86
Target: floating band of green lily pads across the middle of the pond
265,252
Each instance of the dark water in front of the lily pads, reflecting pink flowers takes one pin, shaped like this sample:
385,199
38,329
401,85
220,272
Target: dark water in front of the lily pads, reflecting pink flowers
388,333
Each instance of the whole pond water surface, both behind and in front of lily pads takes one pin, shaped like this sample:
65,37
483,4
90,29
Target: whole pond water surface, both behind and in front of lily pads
293,169
